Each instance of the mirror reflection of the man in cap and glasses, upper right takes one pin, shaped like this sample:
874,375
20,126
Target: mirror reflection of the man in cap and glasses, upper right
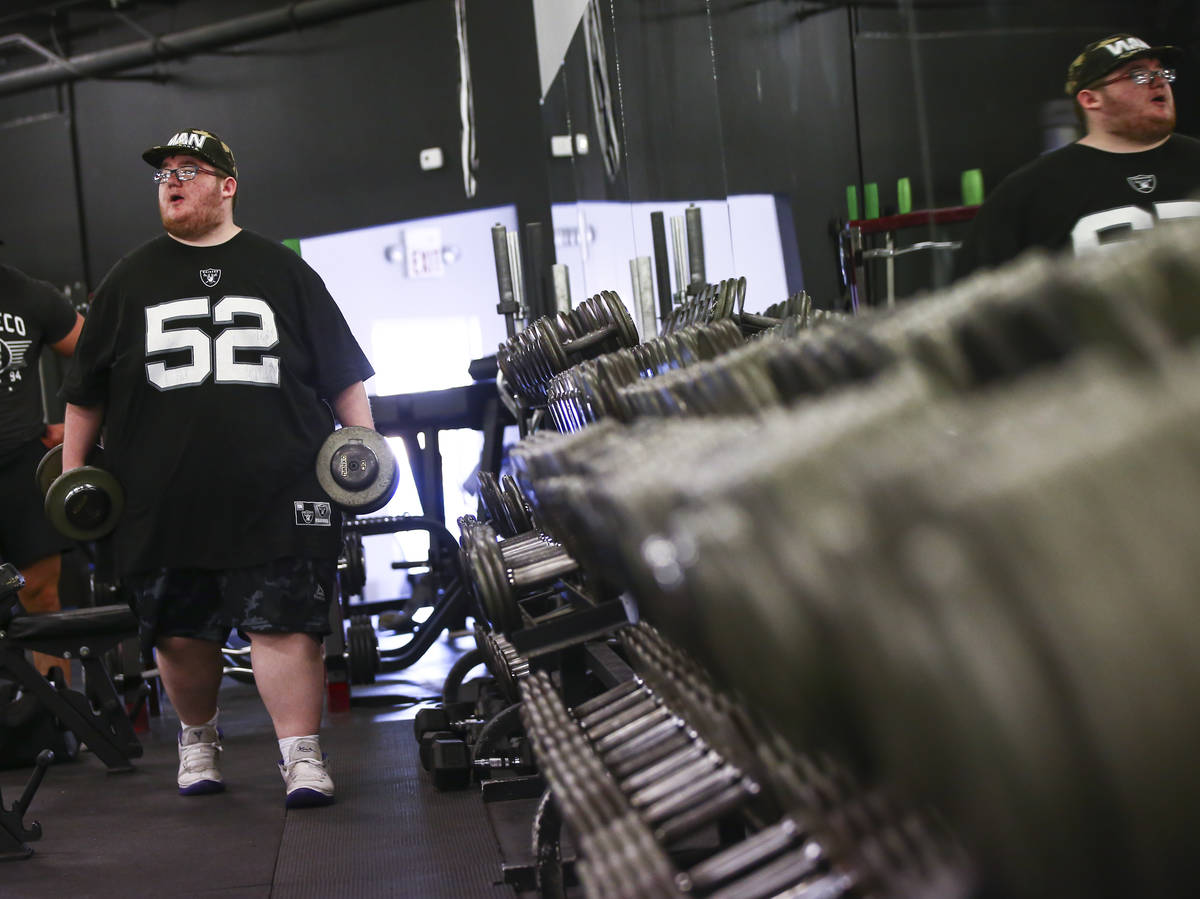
1129,173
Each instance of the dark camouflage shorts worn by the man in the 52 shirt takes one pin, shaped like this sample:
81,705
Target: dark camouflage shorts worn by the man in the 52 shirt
287,596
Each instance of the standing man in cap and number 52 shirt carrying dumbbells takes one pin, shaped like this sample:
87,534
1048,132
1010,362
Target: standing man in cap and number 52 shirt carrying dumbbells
217,362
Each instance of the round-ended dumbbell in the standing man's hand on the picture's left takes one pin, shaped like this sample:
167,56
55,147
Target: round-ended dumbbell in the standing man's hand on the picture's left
85,504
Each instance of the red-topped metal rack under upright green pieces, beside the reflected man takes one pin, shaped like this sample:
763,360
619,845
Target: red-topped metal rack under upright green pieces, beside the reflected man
854,255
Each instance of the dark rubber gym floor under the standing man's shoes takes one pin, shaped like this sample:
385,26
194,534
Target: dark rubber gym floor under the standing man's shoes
389,835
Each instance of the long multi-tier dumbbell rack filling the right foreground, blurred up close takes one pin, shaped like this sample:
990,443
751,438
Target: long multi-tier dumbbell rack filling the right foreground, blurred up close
915,598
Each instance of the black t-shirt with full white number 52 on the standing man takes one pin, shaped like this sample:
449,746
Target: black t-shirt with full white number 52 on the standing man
217,367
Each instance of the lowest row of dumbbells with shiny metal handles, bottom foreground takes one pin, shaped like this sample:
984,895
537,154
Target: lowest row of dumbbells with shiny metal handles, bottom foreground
668,788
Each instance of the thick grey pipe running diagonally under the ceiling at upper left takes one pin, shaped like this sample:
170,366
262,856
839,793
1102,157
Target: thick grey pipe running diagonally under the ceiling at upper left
184,44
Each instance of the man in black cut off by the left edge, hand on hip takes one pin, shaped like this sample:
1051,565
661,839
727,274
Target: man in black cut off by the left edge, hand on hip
33,315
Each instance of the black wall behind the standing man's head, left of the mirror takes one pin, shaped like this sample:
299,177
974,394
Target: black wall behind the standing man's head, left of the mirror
327,124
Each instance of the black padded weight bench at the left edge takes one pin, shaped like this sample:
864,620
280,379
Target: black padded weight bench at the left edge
98,716
